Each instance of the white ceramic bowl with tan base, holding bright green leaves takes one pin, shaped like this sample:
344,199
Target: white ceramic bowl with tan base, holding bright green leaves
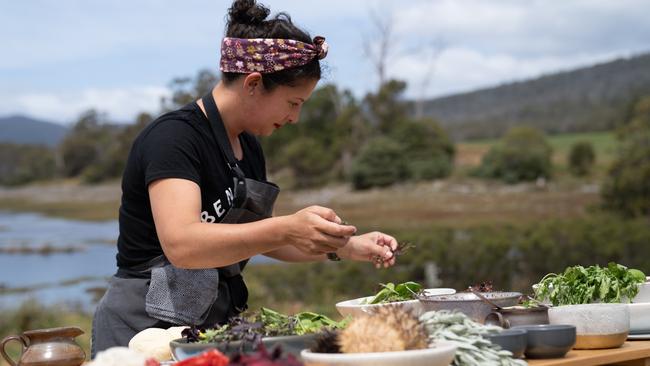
597,325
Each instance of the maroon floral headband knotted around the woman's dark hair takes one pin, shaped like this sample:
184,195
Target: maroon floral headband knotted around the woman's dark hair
268,55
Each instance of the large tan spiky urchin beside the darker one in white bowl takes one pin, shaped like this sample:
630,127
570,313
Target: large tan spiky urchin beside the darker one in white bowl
387,329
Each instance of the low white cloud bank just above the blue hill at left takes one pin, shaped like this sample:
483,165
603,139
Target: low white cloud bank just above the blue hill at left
121,104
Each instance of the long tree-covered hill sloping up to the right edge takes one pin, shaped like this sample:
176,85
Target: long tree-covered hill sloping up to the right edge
588,99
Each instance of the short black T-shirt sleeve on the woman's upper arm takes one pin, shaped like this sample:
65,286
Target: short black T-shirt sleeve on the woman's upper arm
170,150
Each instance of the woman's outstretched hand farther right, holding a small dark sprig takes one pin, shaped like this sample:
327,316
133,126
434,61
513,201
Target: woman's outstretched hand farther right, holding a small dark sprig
373,247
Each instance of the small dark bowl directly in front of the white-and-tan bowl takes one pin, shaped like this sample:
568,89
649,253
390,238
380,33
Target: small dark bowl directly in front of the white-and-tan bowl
548,340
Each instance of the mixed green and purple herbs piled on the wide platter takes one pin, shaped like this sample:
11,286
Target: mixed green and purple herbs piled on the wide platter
265,323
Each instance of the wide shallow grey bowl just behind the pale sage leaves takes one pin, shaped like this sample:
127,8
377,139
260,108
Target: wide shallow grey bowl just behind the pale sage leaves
468,303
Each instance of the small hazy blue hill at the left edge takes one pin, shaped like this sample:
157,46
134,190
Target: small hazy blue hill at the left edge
25,130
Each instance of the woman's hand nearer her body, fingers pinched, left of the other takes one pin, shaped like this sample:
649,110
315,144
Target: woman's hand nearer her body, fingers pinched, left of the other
317,230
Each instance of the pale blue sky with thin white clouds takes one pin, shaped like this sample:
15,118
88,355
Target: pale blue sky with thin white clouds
60,58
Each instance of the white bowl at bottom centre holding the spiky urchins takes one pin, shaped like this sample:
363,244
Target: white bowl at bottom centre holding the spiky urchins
440,355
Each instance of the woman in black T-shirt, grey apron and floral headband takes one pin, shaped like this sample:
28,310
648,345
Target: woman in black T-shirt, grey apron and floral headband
196,204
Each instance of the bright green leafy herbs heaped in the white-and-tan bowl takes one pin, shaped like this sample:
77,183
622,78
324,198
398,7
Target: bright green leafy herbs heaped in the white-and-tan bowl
580,285
